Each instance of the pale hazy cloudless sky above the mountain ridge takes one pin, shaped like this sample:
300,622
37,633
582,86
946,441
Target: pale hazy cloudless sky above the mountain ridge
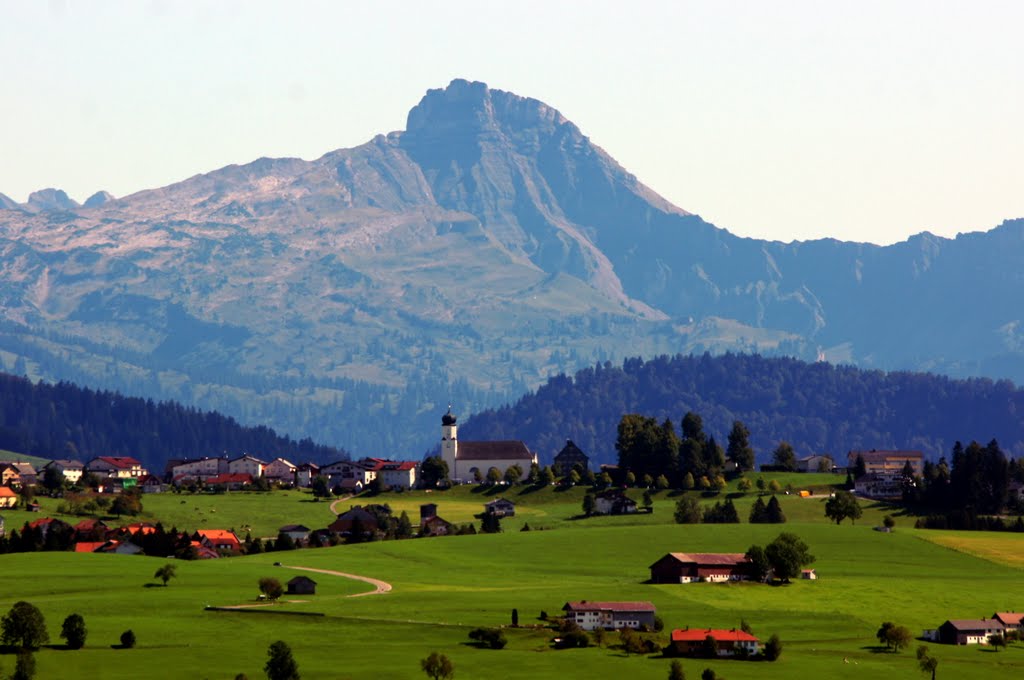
863,121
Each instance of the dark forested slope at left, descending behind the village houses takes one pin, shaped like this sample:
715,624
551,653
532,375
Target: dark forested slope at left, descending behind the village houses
67,421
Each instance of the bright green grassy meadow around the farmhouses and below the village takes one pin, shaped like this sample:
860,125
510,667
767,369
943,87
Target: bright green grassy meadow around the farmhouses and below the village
445,587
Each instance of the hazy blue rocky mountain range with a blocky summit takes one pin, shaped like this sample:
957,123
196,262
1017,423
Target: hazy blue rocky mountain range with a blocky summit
487,247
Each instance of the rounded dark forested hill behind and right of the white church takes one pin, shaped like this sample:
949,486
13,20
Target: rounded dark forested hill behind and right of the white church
819,408
